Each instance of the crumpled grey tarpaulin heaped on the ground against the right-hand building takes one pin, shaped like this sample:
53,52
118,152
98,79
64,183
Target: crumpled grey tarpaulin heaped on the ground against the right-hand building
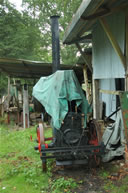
113,139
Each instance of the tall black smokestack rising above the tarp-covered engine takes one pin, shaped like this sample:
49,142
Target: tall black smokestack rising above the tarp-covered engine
55,43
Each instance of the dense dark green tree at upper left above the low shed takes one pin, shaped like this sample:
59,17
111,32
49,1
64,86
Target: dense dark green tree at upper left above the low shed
20,35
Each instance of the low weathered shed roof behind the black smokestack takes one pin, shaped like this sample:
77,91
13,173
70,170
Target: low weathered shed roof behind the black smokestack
31,69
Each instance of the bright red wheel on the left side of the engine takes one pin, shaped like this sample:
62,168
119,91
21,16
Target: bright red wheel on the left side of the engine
41,141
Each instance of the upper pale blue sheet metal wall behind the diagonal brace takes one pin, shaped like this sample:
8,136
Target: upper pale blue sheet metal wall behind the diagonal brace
106,62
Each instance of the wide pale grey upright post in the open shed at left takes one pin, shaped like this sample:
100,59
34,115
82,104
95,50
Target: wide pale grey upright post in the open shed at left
25,107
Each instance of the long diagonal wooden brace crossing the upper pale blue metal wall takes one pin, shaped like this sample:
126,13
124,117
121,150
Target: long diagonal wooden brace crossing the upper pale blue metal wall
113,40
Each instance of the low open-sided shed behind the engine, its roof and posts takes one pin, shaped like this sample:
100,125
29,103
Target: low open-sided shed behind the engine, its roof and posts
19,68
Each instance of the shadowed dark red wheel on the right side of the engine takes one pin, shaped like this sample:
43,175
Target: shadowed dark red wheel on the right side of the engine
94,139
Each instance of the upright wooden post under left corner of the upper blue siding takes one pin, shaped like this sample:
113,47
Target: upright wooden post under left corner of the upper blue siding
96,102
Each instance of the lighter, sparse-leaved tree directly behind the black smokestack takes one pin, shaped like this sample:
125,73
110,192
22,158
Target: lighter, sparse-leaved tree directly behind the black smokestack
42,10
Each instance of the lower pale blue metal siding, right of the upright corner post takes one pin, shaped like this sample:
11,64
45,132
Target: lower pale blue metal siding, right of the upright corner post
108,99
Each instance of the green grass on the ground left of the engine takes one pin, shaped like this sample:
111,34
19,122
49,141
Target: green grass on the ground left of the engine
20,165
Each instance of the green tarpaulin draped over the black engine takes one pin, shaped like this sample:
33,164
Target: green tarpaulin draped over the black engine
54,92
